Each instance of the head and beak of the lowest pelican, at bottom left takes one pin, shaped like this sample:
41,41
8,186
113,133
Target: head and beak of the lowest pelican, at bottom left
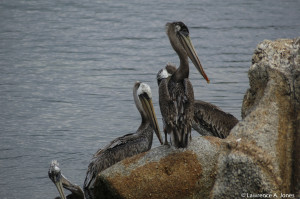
56,177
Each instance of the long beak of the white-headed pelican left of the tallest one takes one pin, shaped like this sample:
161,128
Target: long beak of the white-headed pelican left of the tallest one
148,107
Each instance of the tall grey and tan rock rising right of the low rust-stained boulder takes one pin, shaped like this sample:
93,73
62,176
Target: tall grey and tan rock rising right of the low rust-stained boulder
269,132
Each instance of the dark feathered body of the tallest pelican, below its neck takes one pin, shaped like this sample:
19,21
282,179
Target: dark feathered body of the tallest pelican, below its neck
177,109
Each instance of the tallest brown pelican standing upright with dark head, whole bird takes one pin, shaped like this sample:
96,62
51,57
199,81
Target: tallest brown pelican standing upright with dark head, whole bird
176,95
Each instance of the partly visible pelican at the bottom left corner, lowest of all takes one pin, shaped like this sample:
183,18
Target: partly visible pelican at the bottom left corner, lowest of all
61,181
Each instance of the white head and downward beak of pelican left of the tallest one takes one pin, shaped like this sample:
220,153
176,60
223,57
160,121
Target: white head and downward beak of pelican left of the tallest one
144,95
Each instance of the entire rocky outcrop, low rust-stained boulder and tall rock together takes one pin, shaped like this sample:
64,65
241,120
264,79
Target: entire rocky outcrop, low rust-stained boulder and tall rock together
260,156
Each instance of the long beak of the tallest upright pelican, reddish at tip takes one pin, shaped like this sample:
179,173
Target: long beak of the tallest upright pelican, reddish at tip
189,48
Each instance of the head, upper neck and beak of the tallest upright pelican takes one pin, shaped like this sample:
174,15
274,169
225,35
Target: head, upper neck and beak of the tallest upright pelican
178,34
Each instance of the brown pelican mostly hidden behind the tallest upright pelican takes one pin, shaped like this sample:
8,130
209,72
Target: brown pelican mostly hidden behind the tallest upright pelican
209,119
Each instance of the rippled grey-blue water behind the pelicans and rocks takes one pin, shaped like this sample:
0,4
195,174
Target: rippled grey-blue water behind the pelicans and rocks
67,69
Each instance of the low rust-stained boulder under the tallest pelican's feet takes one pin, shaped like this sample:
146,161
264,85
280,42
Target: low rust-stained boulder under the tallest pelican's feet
163,172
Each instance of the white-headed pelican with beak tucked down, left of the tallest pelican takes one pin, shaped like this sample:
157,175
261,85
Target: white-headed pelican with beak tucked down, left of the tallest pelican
130,144
